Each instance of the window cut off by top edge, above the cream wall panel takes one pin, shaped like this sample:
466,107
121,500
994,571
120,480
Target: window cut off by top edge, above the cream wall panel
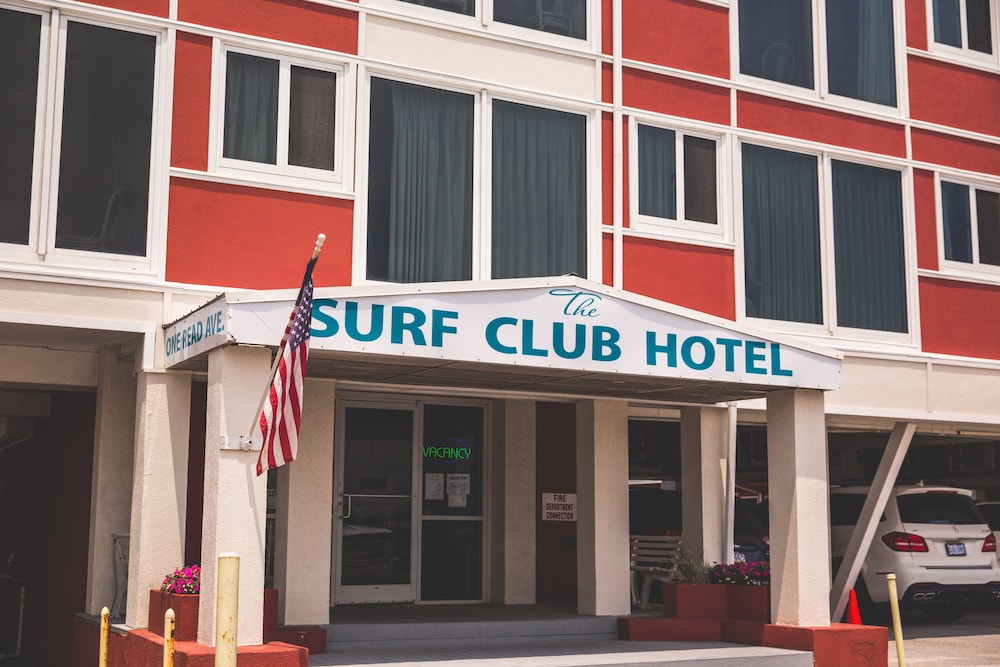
558,17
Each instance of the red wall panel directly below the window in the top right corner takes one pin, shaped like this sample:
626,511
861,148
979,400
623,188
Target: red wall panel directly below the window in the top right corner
955,96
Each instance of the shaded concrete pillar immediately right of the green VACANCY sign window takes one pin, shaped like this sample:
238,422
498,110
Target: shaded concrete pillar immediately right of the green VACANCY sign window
514,496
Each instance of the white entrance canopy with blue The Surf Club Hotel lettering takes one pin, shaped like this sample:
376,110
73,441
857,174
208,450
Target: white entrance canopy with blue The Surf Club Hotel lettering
560,335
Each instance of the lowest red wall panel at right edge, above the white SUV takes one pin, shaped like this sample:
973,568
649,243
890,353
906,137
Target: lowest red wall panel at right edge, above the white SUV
955,318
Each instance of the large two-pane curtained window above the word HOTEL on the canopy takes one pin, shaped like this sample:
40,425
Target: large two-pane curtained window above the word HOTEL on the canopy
785,242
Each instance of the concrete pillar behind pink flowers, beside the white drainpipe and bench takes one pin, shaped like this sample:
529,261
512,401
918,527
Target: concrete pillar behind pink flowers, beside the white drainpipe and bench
704,436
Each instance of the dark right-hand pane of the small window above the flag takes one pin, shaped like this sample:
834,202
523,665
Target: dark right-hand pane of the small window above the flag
311,118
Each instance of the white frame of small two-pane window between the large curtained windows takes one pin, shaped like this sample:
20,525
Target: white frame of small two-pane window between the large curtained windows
680,228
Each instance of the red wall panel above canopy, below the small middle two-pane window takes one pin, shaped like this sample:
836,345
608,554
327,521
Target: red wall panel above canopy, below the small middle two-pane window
686,275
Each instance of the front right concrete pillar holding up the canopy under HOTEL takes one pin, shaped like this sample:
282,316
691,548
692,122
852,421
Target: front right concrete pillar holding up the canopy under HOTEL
799,505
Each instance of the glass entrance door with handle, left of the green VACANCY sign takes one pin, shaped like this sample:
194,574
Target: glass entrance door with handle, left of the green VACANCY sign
375,500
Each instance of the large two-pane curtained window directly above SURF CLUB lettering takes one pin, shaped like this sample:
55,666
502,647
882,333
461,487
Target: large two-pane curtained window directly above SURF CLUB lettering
421,212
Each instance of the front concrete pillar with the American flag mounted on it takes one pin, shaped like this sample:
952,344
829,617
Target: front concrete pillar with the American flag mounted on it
235,497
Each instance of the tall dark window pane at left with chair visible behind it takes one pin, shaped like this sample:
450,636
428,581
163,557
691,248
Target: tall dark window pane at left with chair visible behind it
106,140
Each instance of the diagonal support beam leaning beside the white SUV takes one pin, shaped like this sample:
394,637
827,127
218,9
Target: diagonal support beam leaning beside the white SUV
864,531
